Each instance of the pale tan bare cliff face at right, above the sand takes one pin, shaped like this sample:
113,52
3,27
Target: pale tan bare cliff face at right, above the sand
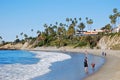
109,42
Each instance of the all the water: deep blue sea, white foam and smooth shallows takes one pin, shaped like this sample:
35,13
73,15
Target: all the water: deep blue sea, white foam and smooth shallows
38,65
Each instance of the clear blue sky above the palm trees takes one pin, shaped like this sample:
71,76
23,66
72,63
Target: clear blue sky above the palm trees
18,16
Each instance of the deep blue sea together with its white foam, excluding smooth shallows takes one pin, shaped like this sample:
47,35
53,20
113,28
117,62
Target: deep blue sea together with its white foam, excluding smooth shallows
23,65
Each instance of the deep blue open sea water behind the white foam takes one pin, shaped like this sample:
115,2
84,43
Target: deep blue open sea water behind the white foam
17,56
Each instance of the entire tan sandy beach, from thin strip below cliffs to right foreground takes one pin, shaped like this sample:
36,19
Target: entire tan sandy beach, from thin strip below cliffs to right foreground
109,71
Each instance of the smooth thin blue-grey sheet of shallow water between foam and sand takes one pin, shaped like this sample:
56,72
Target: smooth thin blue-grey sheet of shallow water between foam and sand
73,68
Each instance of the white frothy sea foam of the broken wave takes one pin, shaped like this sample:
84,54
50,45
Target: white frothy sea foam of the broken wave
26,72
